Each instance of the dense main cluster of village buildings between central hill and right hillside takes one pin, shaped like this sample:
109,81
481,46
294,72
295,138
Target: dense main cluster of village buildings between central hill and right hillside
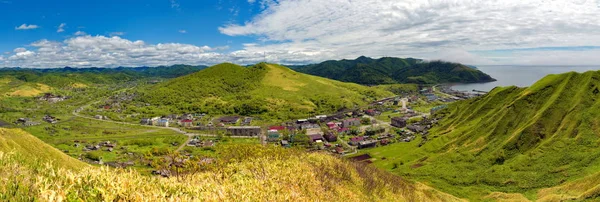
384,122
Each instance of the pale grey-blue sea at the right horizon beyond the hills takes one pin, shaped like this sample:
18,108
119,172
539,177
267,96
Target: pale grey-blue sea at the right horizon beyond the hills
521,76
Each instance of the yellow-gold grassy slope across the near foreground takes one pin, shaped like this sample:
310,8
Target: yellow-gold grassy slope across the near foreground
242,173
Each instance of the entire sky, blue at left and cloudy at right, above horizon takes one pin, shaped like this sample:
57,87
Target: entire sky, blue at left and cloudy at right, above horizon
111,33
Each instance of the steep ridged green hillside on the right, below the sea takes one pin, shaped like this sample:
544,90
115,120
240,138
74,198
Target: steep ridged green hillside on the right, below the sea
512,140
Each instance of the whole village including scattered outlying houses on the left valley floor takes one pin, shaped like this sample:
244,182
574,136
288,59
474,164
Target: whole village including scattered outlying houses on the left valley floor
394,120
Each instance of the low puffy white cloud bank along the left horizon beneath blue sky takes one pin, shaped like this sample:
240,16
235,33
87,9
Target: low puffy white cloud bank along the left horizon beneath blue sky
102,51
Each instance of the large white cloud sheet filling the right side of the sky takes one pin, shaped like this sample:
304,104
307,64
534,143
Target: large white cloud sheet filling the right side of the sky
347,29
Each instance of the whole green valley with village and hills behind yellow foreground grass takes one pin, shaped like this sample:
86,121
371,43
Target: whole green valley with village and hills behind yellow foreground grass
428,134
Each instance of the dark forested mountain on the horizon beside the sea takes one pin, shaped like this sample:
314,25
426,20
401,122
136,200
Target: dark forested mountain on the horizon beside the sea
388,70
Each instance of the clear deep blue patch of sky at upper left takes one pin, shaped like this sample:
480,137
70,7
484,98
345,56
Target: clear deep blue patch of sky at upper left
153,21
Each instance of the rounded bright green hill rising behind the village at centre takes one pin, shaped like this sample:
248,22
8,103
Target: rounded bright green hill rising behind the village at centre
267,90
